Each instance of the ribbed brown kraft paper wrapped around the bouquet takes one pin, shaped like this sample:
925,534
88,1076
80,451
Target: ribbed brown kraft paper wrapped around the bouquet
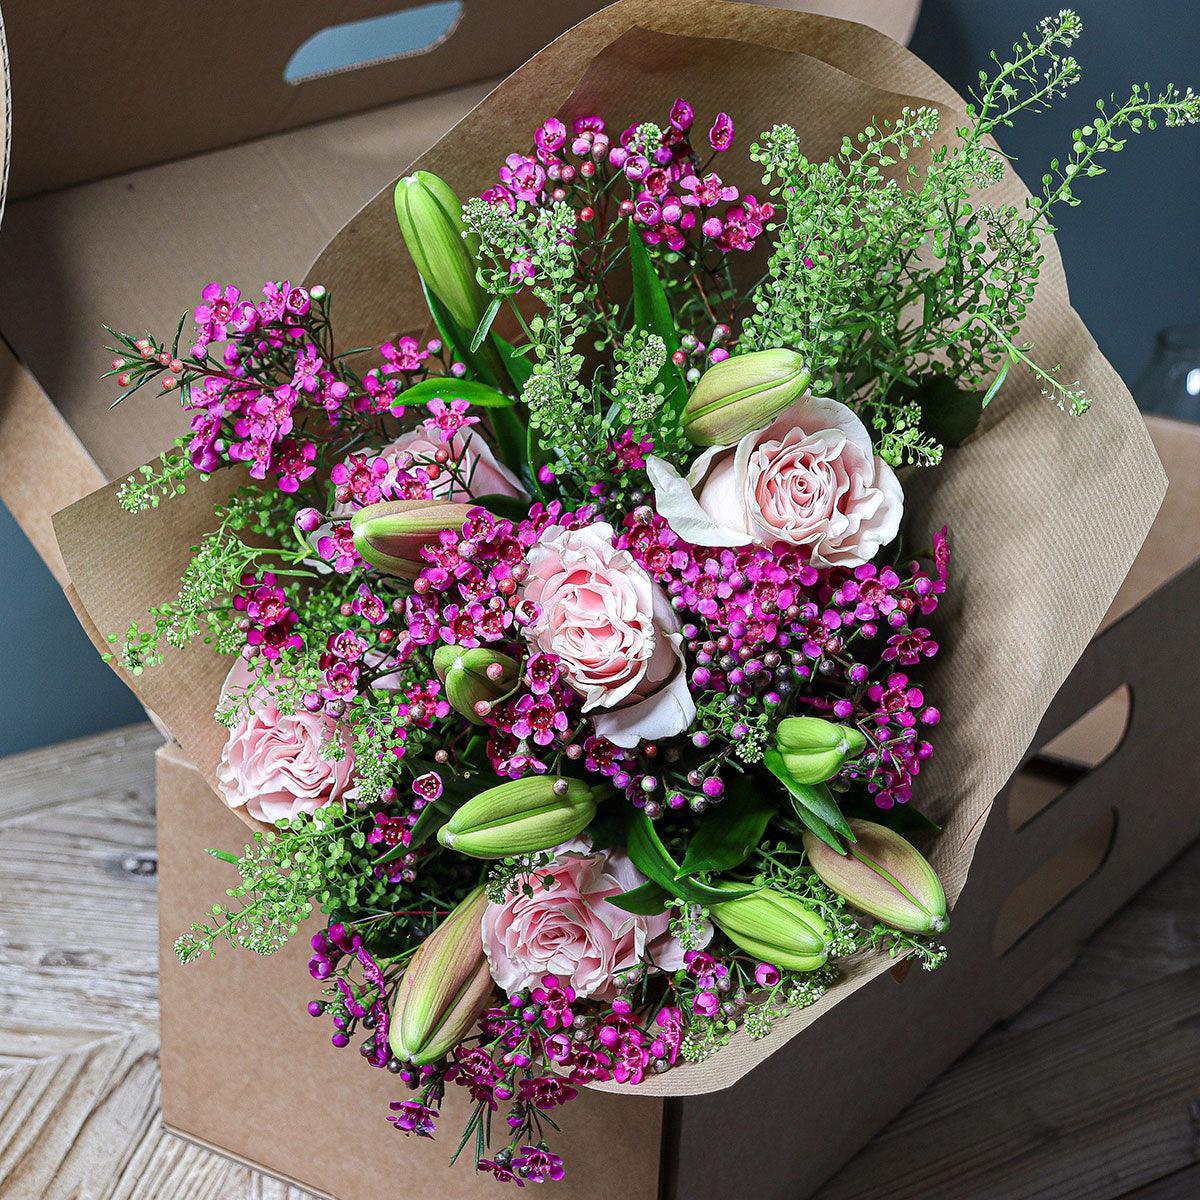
1047,512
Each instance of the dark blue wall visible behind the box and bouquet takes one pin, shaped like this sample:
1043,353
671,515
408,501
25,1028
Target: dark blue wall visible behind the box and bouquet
1132,251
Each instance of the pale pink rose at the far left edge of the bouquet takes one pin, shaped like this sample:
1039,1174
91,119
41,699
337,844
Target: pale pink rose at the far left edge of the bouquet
273,763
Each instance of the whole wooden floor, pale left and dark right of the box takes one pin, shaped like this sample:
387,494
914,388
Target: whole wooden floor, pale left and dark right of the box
1091,1094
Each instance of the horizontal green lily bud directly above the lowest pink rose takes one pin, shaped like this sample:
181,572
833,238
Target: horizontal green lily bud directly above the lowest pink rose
520,818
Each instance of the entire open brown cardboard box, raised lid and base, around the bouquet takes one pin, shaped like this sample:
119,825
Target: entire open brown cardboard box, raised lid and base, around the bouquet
131,250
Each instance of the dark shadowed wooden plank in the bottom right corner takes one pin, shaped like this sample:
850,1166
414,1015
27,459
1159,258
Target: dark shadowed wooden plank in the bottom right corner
1085,1108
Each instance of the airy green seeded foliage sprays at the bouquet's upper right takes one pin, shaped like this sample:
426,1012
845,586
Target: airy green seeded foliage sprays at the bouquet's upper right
885,275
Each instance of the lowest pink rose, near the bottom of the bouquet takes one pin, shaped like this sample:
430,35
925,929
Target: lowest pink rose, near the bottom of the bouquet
571,931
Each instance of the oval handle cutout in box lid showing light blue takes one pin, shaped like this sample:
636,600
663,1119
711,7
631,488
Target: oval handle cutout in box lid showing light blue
375,40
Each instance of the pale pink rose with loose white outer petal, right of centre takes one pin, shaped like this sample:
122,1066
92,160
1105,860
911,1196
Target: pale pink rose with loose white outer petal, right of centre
811,479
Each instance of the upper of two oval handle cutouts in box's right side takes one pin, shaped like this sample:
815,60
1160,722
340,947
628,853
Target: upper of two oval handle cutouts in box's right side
1069,758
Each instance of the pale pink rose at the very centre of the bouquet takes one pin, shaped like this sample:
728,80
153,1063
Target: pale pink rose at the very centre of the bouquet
615,632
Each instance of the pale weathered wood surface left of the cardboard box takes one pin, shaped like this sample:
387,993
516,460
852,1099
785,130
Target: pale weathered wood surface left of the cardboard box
80,991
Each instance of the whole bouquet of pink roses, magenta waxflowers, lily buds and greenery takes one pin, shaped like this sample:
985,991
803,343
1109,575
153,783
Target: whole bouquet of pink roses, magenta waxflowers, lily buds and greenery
580,655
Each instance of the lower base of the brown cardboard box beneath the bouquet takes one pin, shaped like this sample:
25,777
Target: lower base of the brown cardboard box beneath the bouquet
1070,844
